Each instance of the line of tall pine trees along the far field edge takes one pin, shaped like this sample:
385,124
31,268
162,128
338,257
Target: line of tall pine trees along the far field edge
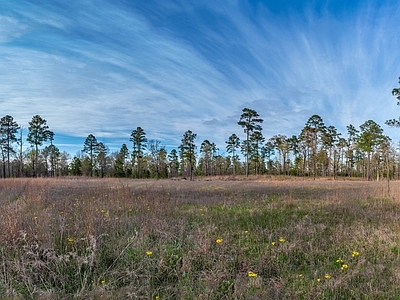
318,150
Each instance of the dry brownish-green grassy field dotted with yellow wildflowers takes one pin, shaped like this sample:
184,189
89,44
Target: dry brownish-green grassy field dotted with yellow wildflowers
219,239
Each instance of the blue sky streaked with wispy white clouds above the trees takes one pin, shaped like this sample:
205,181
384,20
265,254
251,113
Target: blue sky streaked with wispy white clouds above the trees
105,67
